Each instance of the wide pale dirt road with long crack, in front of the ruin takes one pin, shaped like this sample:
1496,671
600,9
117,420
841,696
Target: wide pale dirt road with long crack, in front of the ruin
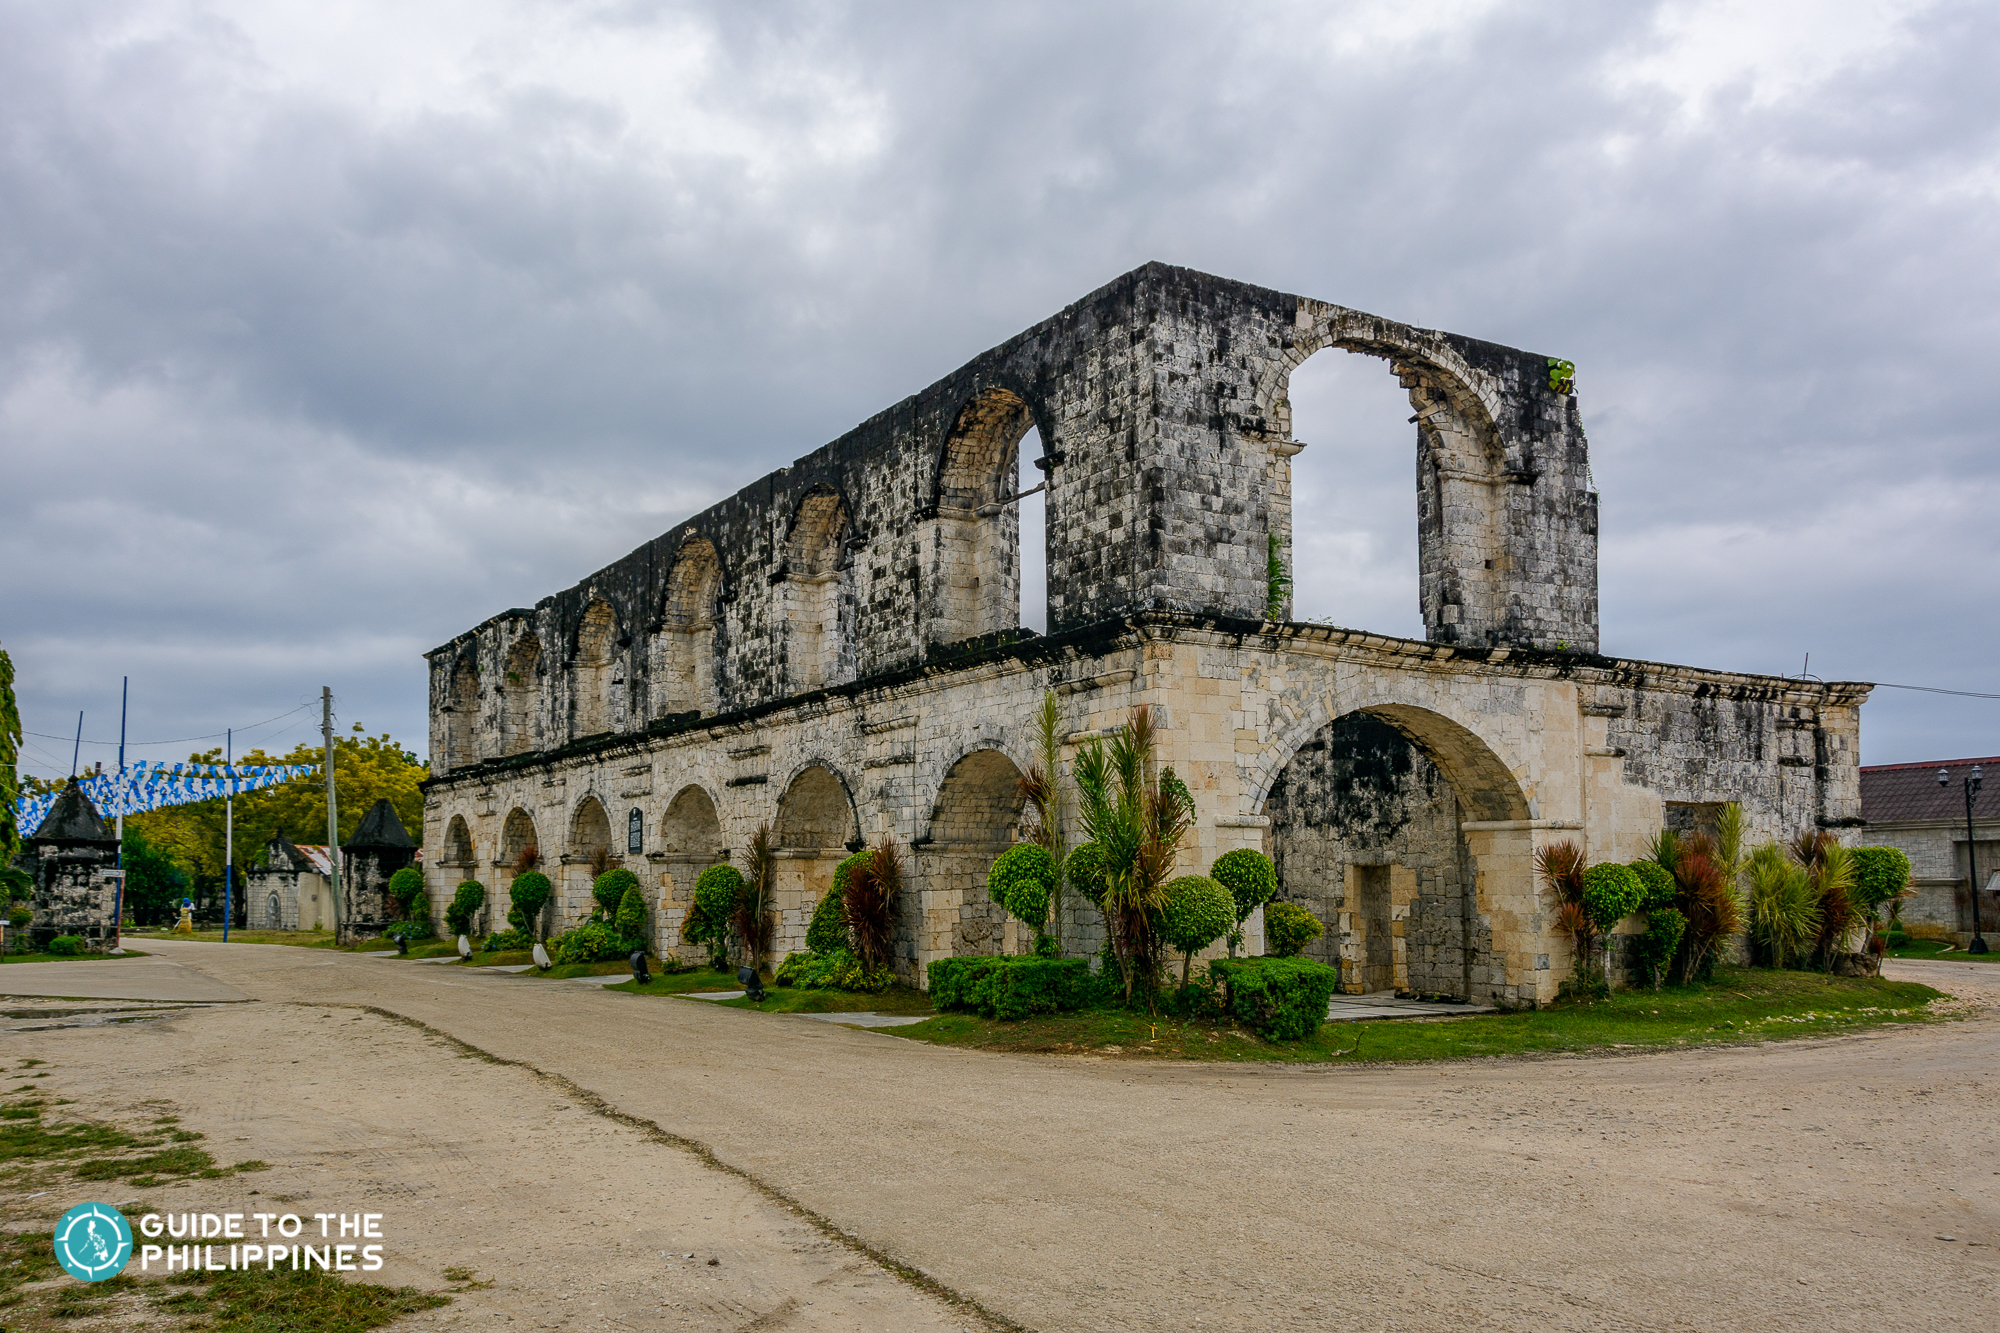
1751,1188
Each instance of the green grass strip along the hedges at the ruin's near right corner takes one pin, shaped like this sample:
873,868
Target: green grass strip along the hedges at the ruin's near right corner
1741,1006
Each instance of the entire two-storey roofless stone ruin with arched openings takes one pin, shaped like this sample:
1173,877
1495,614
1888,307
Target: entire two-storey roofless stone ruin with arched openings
837,651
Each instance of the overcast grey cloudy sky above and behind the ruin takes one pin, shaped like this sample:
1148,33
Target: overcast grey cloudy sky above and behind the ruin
331,329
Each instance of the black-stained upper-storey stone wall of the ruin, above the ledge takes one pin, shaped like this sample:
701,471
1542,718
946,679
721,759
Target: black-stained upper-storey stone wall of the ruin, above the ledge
1161,405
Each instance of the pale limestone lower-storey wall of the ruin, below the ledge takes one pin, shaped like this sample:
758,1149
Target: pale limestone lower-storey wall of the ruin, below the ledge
1515,738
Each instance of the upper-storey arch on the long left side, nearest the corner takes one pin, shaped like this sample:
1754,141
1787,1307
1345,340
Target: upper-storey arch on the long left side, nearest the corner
977,575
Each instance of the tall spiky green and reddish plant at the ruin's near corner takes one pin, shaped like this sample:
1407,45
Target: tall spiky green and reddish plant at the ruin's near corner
1139,826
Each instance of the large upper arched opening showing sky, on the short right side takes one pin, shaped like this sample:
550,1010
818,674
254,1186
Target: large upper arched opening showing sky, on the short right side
1353,497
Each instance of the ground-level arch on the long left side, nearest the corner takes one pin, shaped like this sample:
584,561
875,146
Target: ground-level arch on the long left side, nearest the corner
973,822
